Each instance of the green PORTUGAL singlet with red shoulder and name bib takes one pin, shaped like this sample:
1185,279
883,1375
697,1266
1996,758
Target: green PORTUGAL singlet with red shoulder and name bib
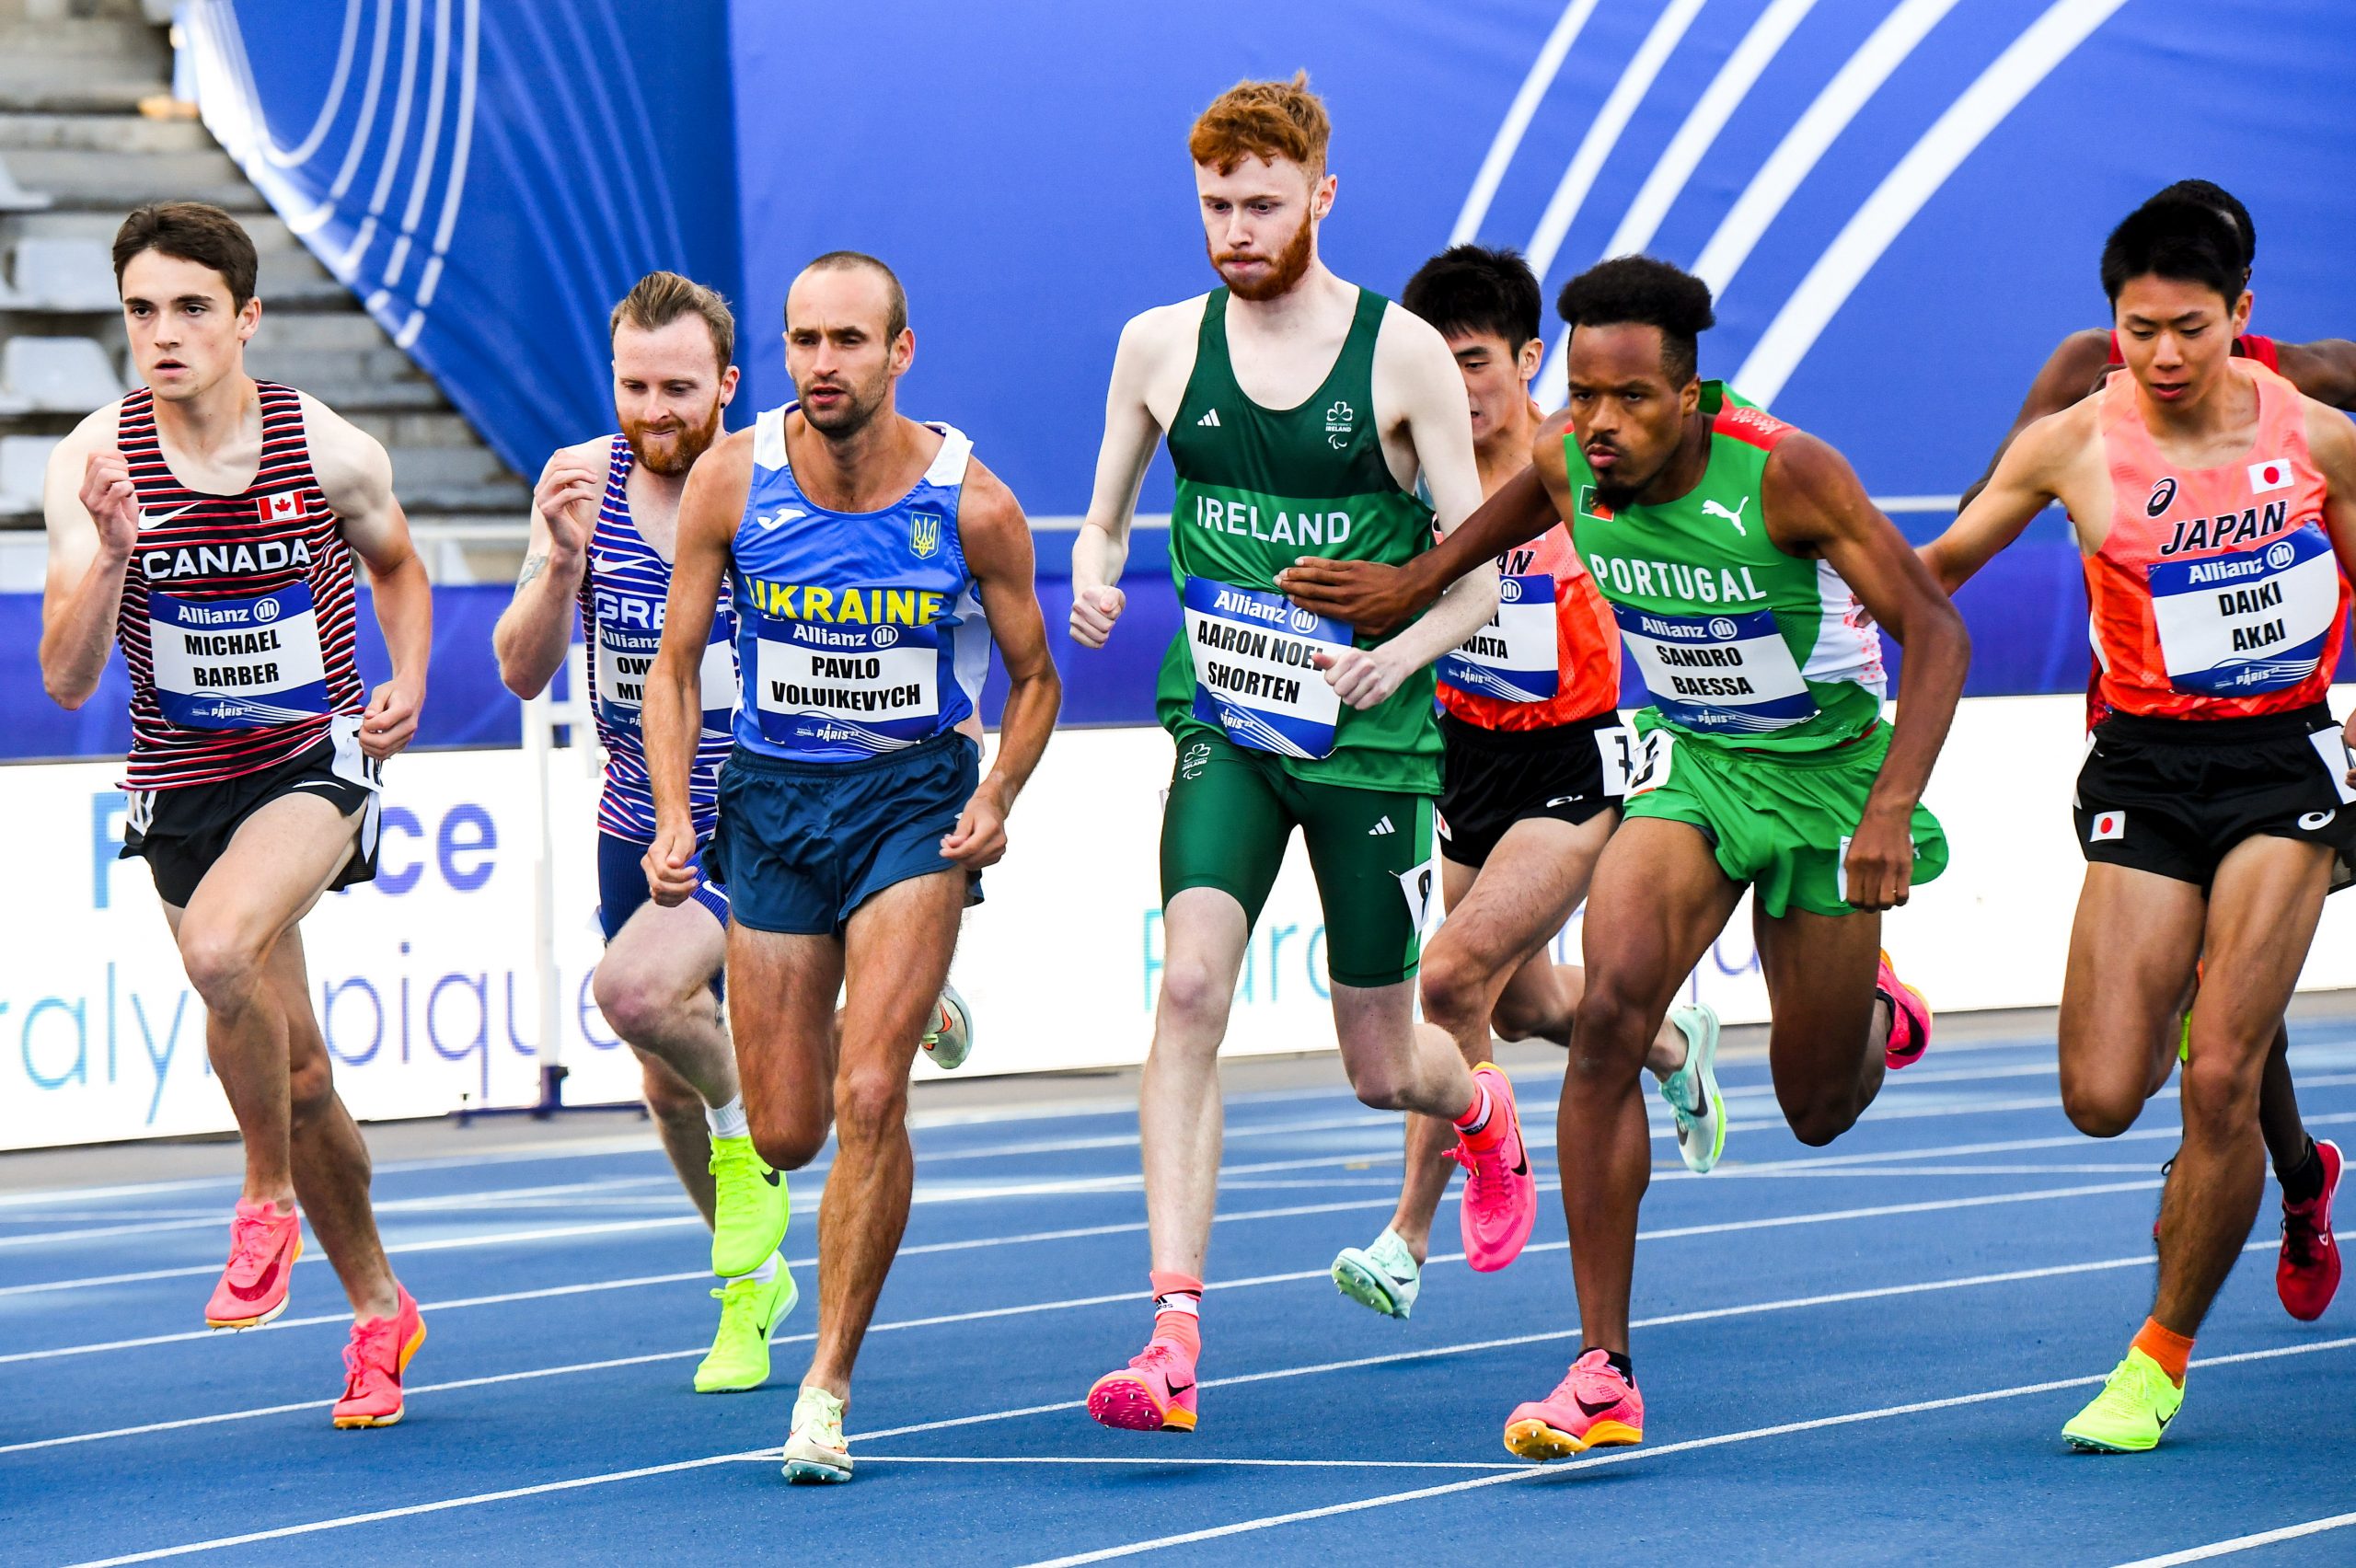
1738,642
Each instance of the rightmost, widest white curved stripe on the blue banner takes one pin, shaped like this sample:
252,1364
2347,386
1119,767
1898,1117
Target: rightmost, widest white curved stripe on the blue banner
1943,150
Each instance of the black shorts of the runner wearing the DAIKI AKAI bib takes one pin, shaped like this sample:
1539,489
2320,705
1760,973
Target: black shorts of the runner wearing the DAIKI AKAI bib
2176,795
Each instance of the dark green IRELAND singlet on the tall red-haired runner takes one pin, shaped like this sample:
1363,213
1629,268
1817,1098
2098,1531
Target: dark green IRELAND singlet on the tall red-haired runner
1257,491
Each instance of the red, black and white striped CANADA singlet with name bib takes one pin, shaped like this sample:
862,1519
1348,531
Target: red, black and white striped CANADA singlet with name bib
239,611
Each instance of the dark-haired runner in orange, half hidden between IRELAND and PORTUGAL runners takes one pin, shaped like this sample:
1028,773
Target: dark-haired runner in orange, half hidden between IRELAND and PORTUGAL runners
1537,762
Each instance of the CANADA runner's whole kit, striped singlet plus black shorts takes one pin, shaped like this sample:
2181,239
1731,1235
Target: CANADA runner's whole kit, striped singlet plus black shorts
239,634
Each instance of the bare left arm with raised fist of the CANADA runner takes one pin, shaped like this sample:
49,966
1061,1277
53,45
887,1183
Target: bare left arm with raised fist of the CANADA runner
93,517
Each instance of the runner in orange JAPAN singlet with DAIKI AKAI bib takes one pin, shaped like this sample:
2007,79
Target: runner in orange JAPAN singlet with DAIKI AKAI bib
2218,512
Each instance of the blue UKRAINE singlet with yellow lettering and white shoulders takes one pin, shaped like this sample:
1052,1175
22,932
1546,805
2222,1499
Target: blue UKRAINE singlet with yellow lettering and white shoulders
856,632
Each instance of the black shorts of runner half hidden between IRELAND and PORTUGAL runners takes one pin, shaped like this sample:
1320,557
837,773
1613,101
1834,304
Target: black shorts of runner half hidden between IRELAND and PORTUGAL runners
1497,778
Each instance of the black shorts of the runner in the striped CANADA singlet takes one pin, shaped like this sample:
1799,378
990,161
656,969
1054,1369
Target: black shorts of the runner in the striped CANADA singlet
185,830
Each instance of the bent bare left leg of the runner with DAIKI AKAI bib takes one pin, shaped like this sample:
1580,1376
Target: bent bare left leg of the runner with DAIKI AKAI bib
2131,959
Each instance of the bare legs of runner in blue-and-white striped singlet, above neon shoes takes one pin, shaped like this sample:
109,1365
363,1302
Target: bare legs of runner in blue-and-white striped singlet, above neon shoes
654,985
